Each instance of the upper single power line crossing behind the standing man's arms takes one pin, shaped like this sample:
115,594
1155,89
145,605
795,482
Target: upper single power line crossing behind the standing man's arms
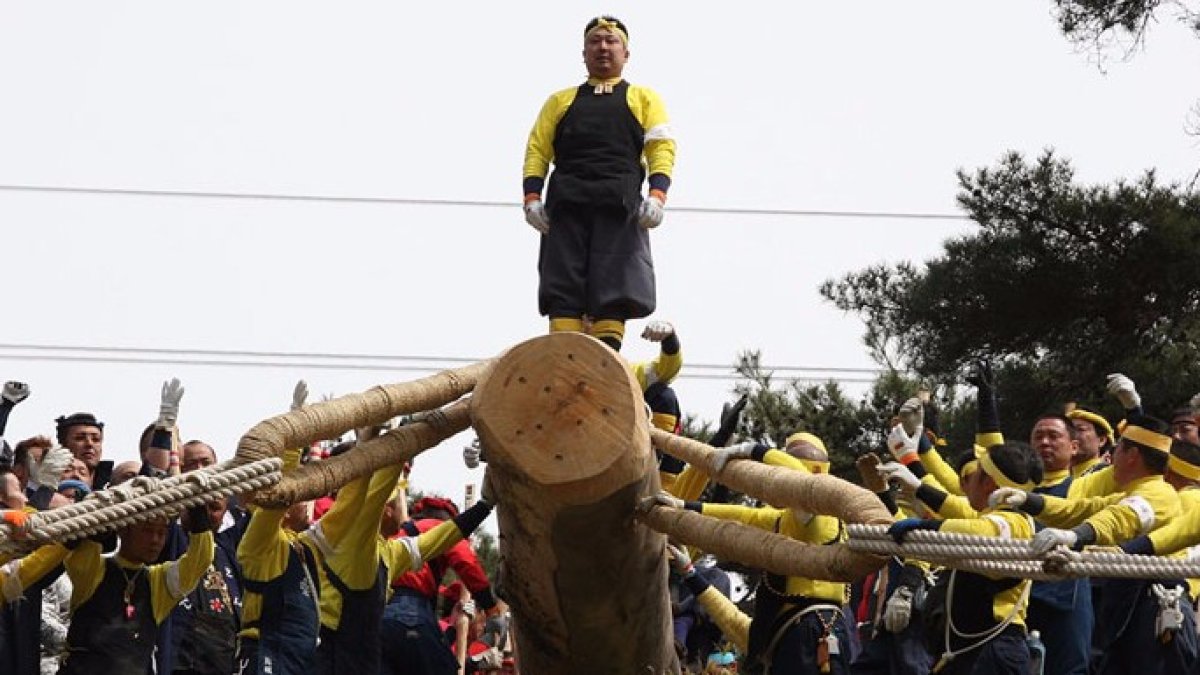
469,204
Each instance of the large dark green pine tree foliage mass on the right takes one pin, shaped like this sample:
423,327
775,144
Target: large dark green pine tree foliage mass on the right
1061,285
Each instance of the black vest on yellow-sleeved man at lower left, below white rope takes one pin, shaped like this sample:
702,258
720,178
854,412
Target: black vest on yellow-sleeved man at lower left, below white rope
104,637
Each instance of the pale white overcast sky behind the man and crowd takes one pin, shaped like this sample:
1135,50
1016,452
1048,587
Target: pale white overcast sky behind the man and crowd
835,106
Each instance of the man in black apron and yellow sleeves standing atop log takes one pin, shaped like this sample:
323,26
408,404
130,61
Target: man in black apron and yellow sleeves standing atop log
603,138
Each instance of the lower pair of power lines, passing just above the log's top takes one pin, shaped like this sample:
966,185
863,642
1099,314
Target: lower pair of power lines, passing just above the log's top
347,362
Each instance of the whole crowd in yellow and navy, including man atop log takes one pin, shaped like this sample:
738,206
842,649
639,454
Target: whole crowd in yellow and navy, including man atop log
355,583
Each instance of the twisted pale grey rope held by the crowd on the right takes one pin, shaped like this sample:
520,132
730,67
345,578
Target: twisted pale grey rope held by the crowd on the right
1013,558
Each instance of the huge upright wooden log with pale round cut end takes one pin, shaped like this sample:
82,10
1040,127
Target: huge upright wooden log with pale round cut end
567,438
